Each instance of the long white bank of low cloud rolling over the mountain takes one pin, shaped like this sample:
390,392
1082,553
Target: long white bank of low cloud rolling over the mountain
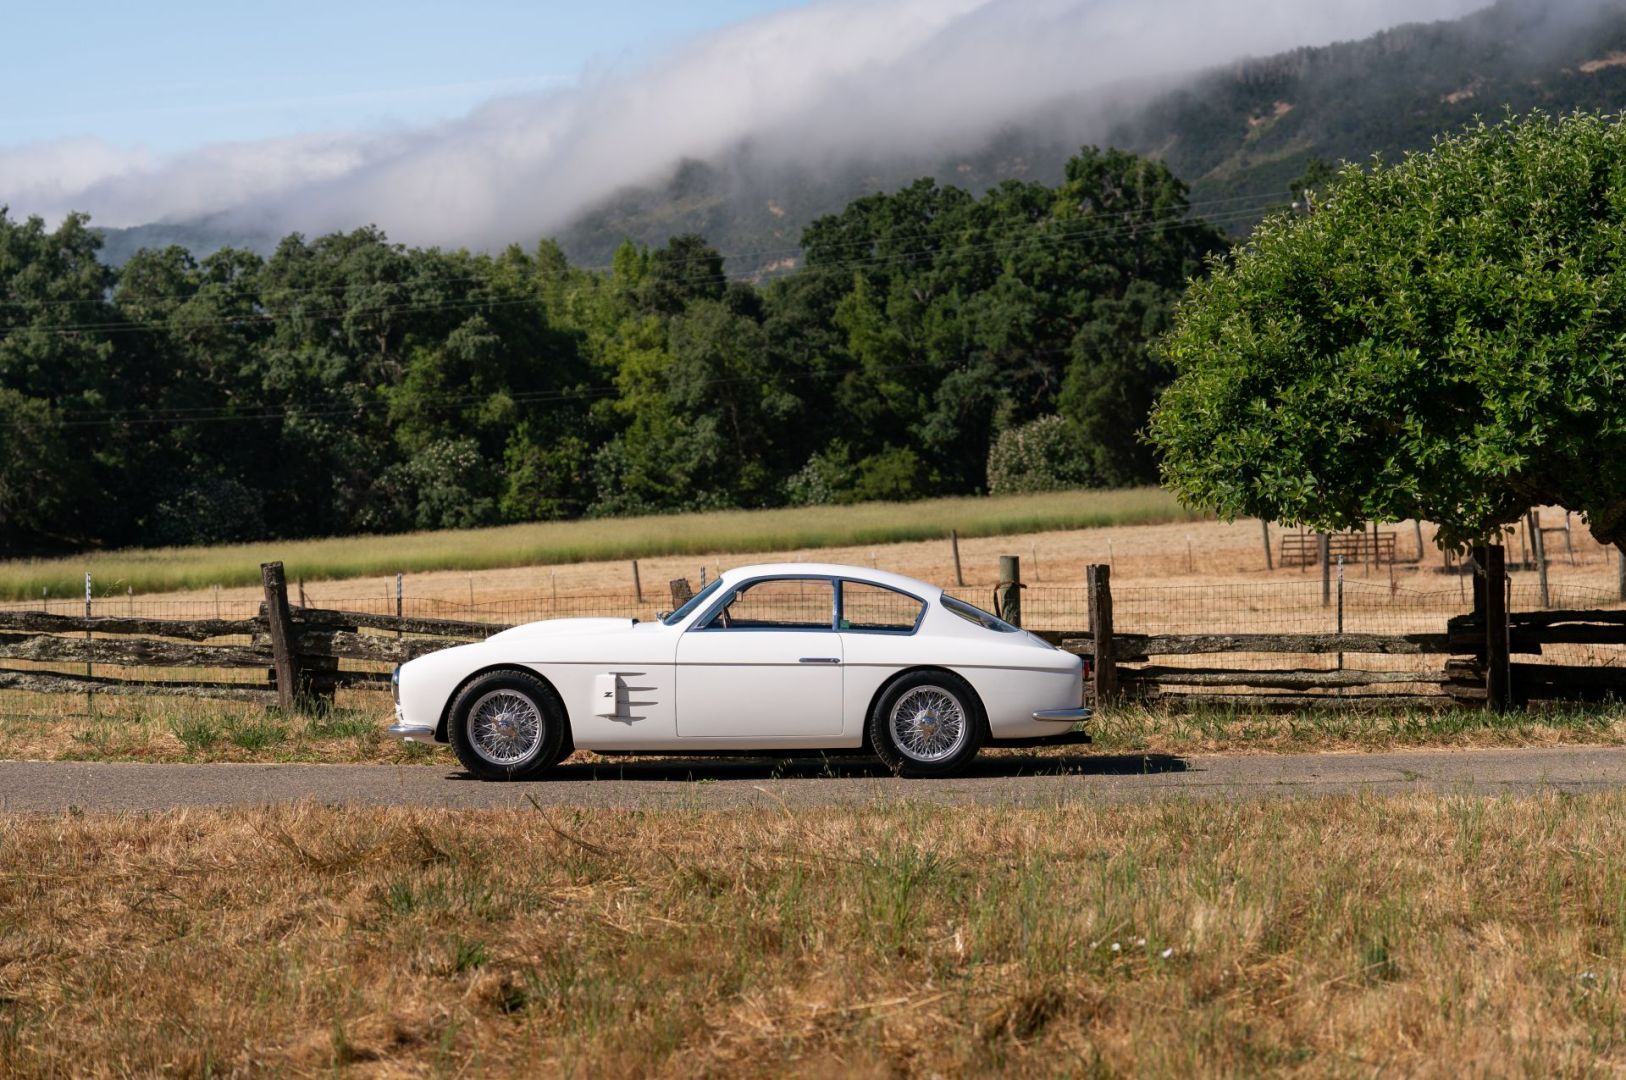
814,84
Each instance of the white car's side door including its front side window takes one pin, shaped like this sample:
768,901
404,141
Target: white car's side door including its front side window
763,666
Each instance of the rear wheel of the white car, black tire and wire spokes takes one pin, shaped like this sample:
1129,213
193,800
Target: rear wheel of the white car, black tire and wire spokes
928,725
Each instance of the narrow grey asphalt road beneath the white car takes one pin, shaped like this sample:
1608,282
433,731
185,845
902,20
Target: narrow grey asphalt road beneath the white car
56,786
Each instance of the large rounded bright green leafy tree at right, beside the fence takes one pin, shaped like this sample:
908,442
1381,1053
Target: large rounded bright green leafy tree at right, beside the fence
1441,339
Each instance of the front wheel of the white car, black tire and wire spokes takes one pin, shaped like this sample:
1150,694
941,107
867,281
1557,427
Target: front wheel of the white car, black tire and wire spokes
531,756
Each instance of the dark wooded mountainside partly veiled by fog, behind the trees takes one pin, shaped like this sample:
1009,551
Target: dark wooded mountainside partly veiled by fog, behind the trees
1238,134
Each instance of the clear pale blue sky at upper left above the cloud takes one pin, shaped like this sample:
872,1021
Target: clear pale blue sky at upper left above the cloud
175,74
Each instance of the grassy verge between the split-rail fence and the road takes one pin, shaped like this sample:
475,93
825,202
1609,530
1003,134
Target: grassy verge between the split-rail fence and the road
178,729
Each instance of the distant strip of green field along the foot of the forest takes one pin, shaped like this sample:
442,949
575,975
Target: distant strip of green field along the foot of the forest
723,533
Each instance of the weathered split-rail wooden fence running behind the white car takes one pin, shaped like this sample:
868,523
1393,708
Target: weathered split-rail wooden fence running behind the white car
298,653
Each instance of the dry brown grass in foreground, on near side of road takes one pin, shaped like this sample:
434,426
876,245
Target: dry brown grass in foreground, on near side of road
1430,936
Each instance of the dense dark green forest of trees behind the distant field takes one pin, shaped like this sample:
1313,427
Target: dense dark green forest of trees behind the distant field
933,342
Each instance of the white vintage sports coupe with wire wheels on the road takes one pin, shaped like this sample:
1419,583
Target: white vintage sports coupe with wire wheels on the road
793,658
